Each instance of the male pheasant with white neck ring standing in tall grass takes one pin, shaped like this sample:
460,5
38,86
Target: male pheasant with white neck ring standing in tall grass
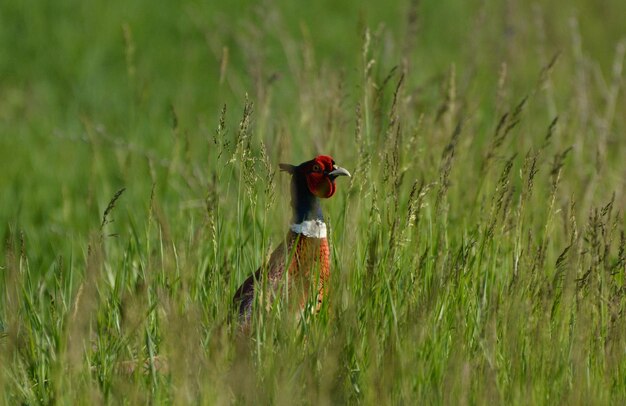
300,265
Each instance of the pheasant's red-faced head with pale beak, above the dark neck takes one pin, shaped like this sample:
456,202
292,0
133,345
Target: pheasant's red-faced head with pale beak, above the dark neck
319,173
